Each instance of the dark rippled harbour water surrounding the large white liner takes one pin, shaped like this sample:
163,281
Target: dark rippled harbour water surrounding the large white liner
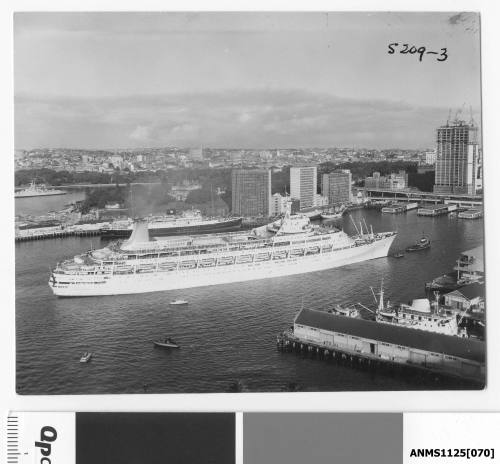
227,333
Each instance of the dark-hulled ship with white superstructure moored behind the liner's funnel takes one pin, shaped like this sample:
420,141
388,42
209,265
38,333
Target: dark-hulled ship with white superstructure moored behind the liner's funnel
190,222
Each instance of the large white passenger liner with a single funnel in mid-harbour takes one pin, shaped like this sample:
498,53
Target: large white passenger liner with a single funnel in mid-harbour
286,247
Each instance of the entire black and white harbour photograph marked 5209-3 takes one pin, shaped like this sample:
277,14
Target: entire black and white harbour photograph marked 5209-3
235,202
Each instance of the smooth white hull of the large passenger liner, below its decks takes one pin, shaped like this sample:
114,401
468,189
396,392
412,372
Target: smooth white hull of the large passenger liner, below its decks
99,285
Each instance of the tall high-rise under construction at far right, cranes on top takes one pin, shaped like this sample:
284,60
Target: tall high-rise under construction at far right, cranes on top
458,159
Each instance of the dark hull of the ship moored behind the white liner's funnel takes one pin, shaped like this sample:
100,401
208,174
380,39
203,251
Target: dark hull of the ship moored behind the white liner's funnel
225,226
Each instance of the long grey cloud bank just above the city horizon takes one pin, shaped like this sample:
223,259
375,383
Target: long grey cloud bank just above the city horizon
259,118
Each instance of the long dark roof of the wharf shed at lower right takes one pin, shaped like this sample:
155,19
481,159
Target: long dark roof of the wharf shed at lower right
464,348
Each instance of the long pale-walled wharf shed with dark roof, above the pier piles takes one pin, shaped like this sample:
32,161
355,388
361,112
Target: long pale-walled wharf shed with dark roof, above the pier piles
453,355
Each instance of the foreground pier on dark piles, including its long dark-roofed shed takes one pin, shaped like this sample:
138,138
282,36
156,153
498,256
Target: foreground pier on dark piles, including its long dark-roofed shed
371,345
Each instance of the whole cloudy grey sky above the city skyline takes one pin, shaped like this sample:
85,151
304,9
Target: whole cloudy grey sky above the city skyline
108,80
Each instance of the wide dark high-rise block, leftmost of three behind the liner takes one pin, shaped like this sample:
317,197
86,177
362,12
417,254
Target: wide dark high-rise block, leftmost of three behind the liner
251,195
